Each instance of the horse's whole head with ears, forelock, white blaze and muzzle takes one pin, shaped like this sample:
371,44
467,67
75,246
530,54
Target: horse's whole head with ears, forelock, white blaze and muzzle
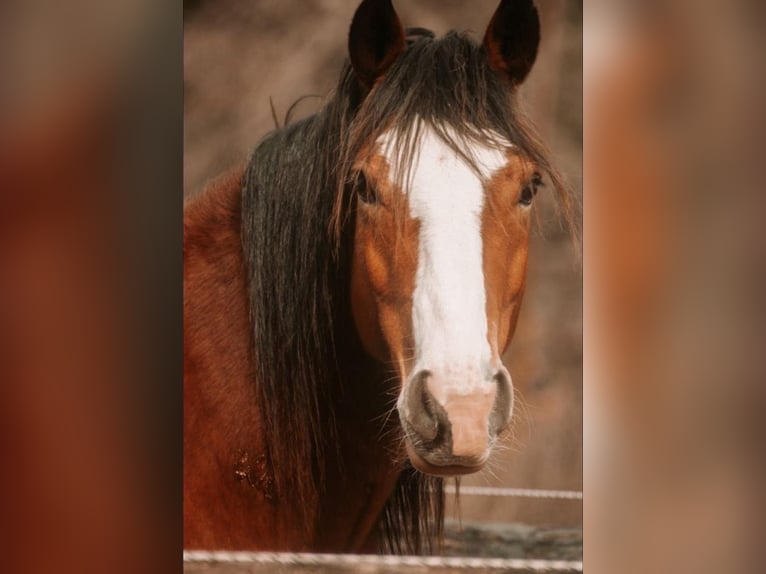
444,186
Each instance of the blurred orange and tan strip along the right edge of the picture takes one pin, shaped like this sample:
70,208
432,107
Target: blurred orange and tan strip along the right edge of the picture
674,286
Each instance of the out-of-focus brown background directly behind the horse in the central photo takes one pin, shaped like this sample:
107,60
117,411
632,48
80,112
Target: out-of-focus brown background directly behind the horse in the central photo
241,55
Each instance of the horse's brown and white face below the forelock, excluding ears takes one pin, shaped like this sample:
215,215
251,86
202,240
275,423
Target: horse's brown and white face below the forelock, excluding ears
438,274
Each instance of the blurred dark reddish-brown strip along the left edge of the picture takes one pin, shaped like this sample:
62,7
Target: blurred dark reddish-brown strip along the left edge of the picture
90,286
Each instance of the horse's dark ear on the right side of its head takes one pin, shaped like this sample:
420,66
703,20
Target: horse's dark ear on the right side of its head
512,38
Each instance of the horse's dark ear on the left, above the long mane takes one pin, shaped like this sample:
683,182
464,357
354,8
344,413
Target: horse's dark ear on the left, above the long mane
375,40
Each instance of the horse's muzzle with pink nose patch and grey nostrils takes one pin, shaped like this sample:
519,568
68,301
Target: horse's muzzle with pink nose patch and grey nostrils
450,428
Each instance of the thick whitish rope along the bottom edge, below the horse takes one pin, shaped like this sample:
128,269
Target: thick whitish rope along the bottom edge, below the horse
304,559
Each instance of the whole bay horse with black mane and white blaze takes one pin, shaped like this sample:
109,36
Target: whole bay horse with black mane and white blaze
349,293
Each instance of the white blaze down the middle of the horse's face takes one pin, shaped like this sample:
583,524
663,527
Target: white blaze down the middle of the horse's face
449,314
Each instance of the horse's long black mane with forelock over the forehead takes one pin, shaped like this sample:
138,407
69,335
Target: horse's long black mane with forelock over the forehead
296,208
